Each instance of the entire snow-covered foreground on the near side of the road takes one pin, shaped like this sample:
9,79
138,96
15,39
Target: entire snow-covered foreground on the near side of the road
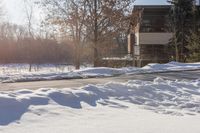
159,106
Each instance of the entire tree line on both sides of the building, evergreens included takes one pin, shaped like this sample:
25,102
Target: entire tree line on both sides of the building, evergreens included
87,30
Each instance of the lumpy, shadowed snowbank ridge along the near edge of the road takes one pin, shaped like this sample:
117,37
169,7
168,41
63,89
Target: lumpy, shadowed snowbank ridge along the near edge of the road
160,96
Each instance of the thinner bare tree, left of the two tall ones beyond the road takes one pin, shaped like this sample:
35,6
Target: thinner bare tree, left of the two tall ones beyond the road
70,16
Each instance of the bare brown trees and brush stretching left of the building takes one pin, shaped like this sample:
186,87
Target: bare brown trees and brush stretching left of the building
85,30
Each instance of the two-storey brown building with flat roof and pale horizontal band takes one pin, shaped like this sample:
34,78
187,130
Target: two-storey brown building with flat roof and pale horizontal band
149,35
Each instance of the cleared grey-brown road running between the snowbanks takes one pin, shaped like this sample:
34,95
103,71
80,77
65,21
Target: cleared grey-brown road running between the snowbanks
184,75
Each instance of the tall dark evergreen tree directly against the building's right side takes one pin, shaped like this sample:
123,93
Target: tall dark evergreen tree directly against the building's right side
181,17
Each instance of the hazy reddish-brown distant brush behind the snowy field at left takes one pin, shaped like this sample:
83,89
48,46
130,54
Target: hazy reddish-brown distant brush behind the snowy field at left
16,46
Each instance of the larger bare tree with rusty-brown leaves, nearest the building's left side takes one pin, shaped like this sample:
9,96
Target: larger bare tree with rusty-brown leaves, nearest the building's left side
105,19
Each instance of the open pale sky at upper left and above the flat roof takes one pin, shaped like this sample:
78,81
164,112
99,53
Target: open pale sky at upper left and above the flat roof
15,12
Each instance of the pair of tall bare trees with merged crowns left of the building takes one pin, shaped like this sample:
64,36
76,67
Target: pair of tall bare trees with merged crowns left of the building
92,21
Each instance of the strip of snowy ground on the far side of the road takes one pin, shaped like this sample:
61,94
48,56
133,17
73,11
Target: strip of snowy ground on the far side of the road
14,73
